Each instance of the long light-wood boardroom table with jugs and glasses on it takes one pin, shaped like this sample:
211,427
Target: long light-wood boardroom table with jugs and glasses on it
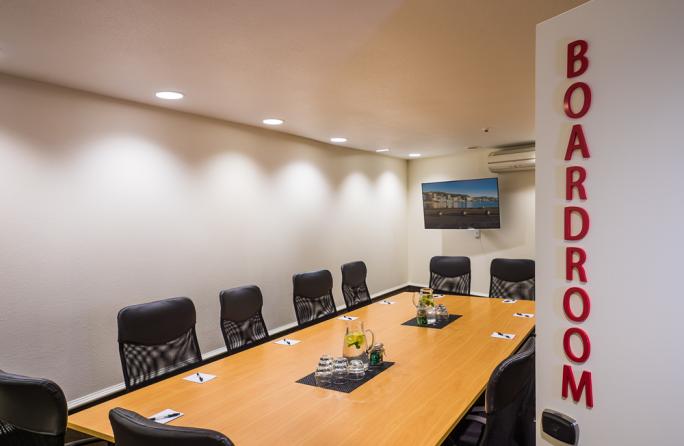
255,400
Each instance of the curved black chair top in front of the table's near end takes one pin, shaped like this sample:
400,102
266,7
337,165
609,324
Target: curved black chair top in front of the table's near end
131,429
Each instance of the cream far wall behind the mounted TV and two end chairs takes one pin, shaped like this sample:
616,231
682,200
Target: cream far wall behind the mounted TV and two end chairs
515,239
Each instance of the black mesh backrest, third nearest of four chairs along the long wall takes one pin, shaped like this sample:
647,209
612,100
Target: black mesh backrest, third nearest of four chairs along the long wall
312,296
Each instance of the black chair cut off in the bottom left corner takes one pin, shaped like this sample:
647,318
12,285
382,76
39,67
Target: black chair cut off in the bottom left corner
33,412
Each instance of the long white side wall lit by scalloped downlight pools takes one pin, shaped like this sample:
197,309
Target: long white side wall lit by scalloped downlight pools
106,203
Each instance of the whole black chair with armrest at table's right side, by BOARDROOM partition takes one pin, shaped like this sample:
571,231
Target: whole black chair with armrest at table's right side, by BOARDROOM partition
508,416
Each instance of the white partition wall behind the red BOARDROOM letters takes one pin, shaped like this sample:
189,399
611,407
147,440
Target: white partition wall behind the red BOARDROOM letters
634,131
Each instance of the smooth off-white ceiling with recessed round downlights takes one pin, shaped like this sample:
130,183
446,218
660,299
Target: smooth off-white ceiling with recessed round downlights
414,75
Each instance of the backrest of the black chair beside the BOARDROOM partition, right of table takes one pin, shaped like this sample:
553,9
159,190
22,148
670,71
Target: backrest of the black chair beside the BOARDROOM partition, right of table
507,392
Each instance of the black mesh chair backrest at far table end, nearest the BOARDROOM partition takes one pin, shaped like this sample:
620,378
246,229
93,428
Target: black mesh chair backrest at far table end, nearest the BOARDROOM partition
512,278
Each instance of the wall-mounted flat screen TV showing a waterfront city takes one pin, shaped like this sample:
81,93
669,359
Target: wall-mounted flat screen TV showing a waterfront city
463,204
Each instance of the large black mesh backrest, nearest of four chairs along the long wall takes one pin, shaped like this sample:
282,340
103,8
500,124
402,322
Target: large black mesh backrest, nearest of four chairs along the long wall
157,339
